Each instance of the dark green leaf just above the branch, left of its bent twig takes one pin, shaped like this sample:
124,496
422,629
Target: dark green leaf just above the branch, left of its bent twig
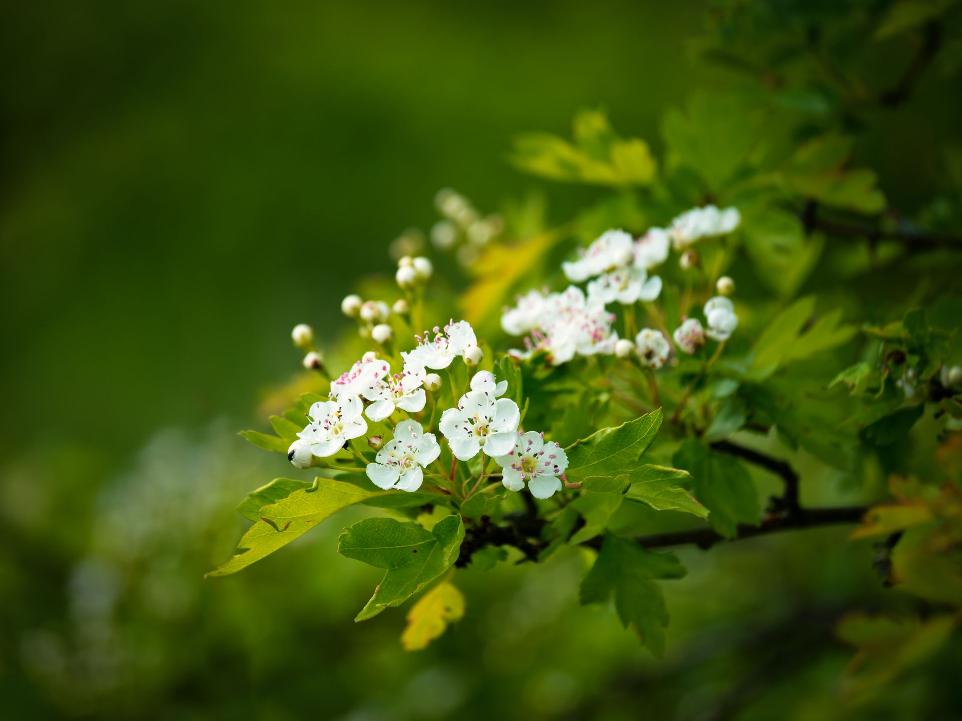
722,484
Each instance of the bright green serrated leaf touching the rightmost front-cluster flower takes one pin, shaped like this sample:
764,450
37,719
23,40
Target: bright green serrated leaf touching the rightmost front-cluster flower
613,451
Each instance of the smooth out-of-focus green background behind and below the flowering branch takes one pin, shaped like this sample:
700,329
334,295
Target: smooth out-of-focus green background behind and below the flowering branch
182,182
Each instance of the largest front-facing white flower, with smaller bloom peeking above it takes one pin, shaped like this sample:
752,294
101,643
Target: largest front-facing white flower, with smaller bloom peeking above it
481,421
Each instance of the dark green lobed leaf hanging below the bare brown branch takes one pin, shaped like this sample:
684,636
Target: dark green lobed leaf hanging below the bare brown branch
627,571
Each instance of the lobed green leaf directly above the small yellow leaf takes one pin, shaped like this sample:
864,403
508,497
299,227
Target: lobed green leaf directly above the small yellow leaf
412,556
